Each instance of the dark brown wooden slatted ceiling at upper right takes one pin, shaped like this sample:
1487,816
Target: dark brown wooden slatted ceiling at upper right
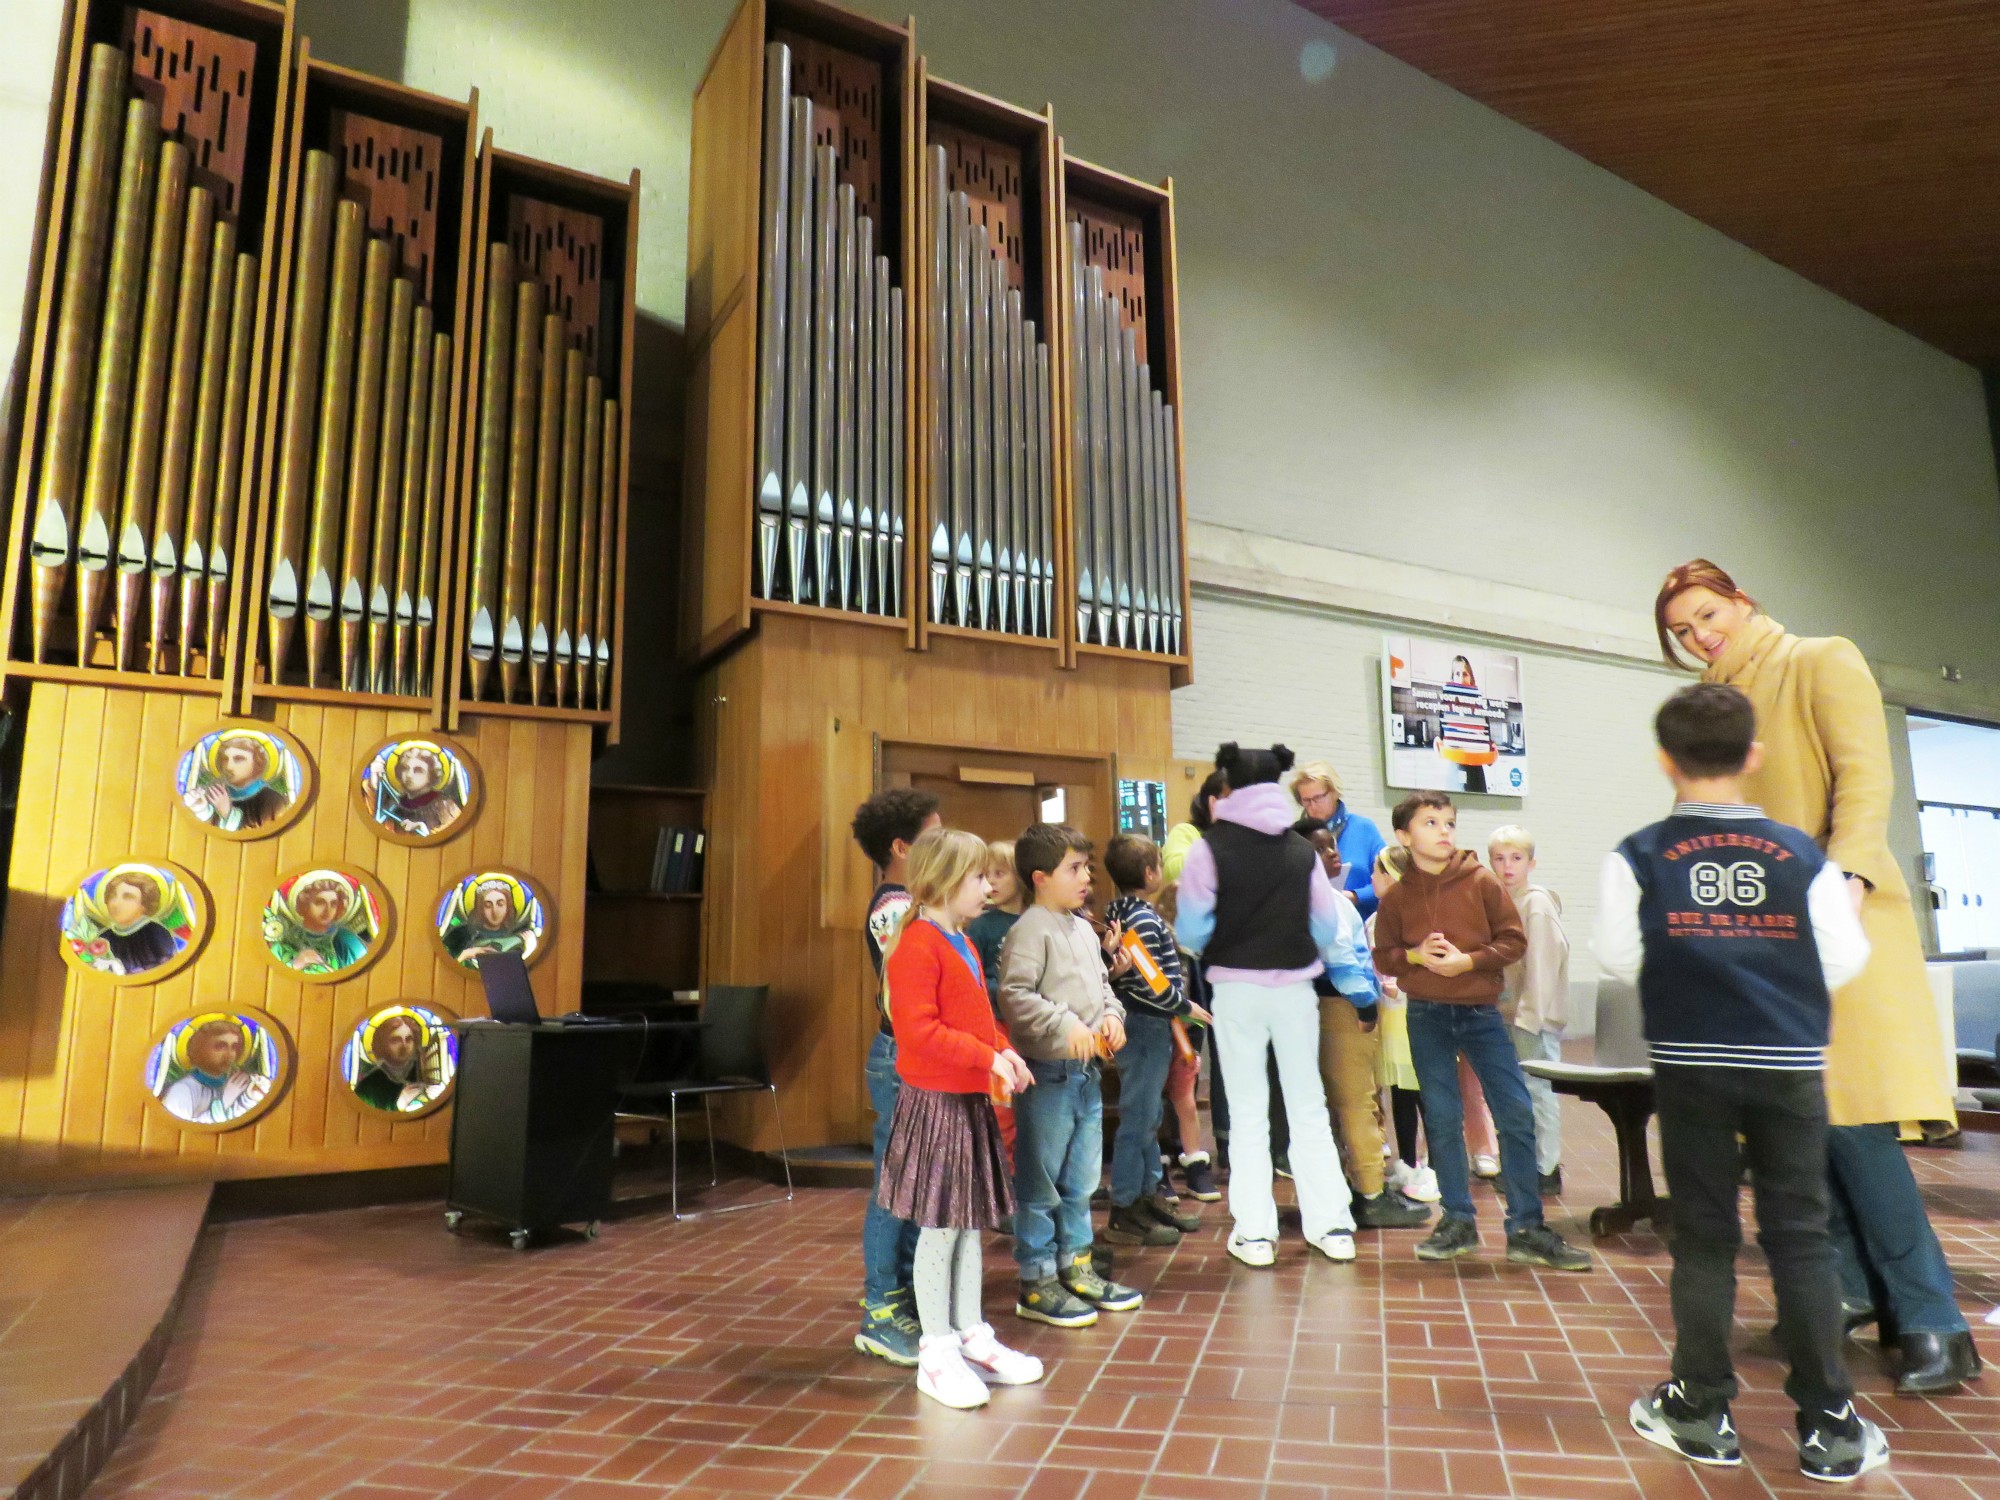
1851,141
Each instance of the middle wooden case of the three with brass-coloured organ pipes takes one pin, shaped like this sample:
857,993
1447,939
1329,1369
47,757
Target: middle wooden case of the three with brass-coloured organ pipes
357,495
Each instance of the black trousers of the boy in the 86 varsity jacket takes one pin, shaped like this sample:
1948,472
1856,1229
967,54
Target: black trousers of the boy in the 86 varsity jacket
1781,1119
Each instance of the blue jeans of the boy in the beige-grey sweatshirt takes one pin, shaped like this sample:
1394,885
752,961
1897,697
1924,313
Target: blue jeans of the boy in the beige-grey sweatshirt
1059,1159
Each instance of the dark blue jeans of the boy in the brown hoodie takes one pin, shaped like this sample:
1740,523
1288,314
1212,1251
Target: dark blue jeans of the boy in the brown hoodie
1439,1033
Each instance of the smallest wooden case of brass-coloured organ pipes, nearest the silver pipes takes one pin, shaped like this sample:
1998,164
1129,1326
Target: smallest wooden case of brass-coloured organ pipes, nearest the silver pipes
547,447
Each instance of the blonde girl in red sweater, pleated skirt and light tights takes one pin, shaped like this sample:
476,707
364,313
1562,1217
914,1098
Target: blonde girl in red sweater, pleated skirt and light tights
945,1167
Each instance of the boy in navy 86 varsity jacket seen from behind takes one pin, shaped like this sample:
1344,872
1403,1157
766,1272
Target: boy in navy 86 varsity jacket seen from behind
1737,931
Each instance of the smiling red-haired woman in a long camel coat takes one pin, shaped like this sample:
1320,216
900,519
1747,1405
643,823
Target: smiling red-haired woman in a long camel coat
1827,771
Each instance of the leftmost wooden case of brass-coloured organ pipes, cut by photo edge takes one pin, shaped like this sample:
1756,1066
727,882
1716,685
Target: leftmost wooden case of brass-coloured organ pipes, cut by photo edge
145,351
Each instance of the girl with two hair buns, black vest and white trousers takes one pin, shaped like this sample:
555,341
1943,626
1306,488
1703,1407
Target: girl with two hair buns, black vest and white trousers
1257,905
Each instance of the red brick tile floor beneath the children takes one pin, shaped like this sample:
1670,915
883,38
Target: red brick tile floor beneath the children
375,1357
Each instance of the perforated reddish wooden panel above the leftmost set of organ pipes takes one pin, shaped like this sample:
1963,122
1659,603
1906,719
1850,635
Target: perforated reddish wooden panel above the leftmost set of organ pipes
201,81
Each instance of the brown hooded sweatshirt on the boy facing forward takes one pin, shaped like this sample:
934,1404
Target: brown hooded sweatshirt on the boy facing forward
1469,905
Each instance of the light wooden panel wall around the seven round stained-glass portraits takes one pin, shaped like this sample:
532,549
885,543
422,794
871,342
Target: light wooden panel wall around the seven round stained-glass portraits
99,787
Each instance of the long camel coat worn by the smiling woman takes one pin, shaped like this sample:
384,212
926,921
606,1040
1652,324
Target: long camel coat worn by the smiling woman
1827,771
